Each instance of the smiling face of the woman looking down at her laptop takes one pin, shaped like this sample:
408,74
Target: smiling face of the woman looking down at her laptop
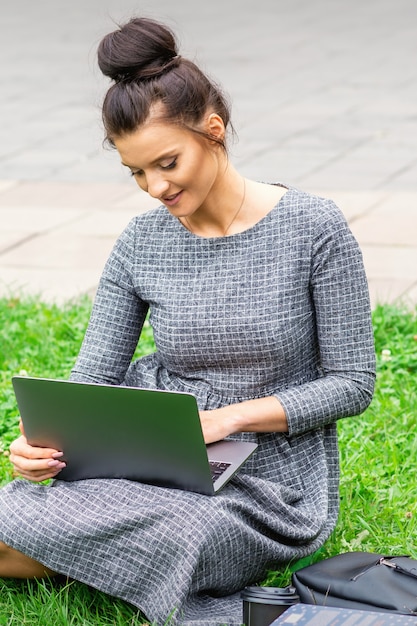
172,164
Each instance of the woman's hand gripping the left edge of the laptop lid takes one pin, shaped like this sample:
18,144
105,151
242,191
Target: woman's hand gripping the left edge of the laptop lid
32,463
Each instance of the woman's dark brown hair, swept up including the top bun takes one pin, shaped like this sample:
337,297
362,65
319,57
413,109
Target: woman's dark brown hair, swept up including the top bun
142,59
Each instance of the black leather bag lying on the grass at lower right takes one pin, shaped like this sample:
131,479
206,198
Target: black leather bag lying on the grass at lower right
361,580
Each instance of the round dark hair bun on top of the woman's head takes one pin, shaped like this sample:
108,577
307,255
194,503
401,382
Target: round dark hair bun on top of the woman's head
140,49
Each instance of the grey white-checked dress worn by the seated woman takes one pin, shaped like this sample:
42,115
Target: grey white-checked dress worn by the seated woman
281,309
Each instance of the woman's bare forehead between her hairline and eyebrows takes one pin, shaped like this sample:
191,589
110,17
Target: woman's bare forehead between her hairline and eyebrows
153,141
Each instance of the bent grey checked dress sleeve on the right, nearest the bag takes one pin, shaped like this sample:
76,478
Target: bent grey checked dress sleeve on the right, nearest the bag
339,293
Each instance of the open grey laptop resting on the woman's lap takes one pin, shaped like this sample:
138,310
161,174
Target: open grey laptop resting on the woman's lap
108,431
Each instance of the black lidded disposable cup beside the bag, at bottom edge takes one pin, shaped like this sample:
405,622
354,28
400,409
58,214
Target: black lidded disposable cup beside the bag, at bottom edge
262,605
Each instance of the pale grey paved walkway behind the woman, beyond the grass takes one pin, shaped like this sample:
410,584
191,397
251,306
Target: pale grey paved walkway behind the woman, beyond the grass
324,97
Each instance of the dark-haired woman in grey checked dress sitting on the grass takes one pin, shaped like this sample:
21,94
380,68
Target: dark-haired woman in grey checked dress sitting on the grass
259,305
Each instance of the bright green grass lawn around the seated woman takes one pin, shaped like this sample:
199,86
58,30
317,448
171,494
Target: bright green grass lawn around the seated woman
378,450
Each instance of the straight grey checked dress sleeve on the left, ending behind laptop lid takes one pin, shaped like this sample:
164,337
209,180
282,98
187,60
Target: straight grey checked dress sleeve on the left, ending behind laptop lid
116,320
